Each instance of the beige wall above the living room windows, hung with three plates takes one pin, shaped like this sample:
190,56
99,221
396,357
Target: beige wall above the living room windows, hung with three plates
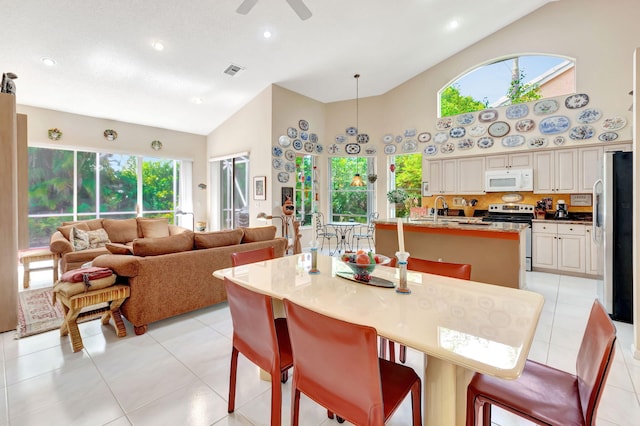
82,132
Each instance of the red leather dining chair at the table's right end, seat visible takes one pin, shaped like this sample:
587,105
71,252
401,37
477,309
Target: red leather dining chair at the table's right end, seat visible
545,395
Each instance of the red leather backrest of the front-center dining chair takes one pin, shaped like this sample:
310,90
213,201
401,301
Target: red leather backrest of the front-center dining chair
336,364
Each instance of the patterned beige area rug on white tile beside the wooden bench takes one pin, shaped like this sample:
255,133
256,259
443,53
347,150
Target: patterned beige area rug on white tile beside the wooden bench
37,313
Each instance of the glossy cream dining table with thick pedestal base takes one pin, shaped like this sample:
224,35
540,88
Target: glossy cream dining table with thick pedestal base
460,326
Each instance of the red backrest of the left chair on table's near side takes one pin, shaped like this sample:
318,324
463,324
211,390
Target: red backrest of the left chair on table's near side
254,332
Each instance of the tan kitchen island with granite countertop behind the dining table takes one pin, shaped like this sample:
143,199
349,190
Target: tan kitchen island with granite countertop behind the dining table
495,250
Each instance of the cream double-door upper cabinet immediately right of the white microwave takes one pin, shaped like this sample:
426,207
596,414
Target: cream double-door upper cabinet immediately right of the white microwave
555,171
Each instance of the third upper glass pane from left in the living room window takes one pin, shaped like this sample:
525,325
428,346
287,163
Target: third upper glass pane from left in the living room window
118,183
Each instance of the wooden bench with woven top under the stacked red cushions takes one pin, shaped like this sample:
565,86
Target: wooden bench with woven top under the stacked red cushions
108,299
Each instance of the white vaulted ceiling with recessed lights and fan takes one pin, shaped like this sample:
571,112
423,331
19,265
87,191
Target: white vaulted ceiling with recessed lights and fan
106,66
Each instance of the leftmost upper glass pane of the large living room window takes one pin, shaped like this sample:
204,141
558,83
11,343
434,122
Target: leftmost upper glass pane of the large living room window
50,181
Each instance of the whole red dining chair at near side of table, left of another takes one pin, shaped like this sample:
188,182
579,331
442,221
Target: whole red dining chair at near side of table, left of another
260,337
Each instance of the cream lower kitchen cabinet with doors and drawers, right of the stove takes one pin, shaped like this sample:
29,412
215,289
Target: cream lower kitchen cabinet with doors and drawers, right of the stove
561,247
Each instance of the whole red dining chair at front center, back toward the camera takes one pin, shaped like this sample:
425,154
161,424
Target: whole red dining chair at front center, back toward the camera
336,364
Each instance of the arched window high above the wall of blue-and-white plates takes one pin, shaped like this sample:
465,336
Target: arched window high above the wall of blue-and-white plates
508,81
